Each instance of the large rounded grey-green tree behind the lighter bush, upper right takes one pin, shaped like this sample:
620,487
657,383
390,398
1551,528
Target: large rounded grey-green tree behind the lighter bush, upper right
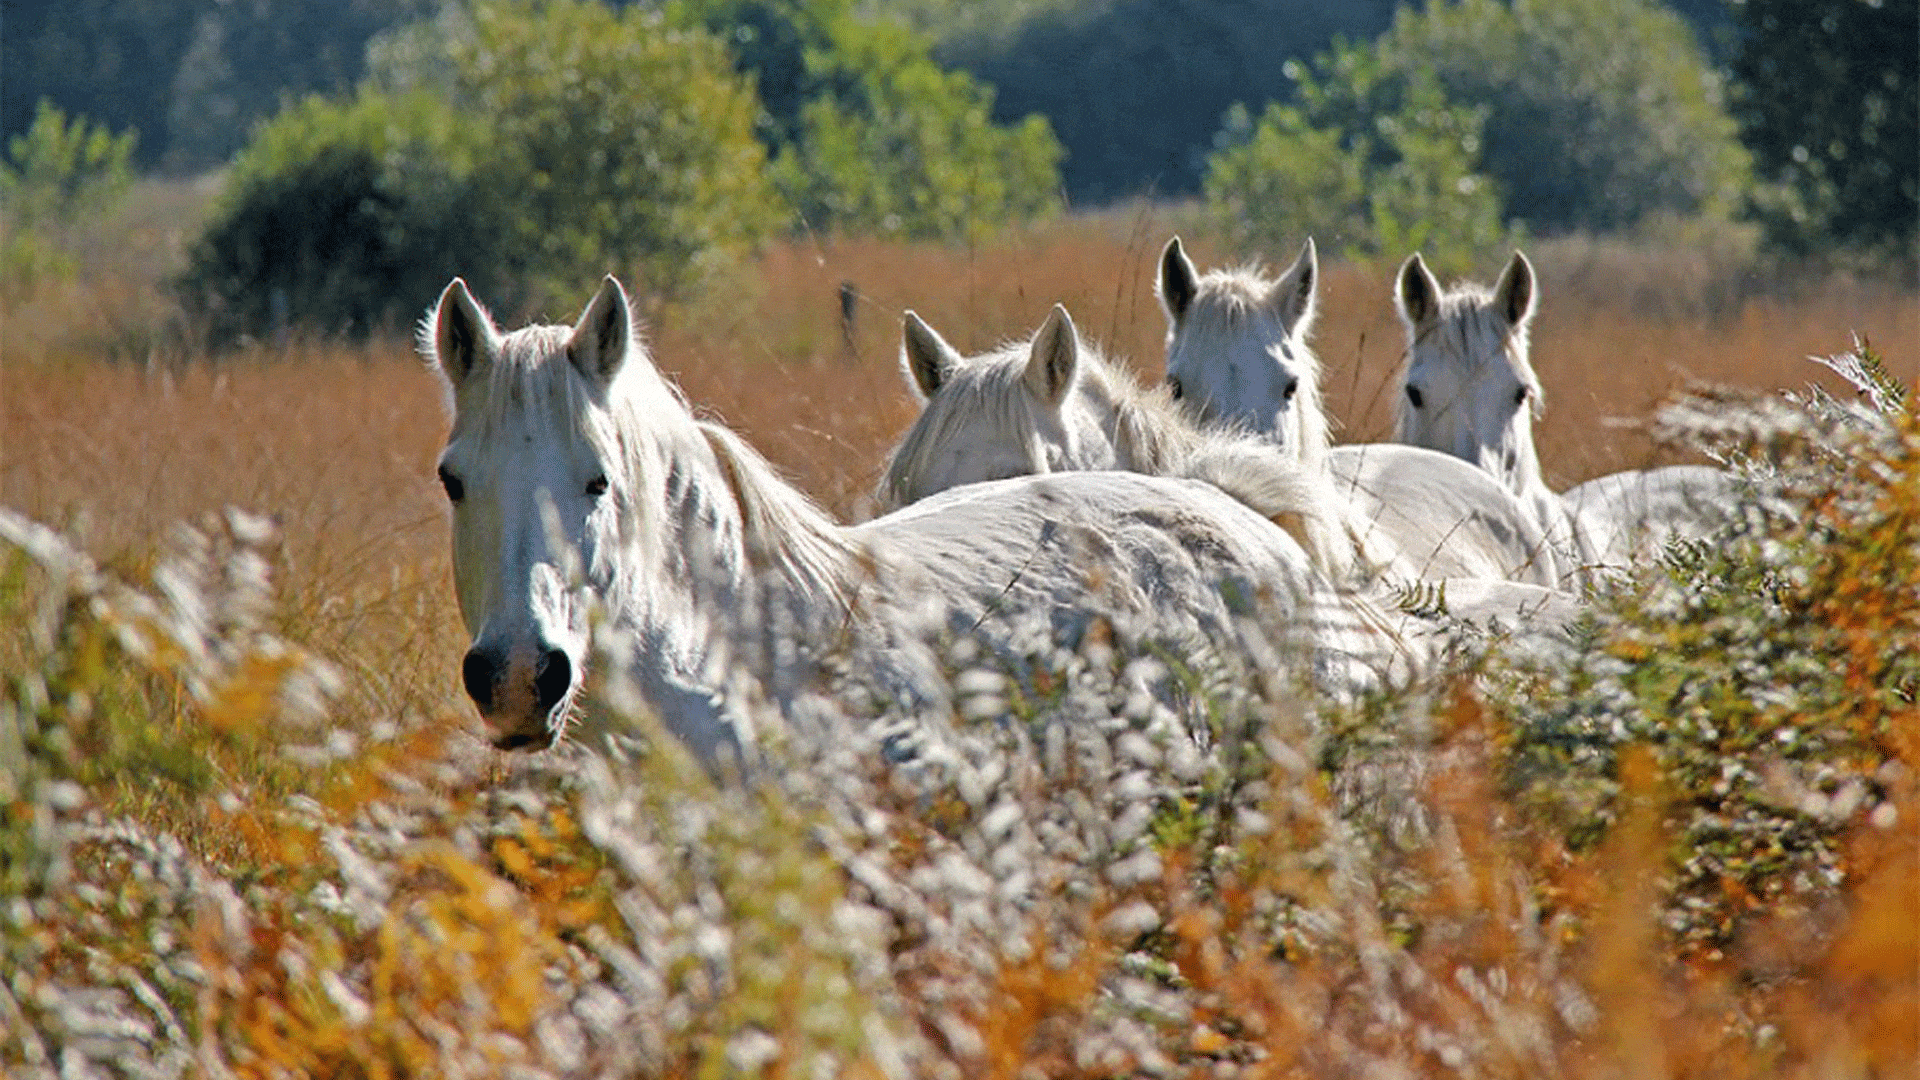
1600,114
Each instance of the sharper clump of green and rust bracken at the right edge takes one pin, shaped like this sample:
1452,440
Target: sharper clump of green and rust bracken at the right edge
1773,674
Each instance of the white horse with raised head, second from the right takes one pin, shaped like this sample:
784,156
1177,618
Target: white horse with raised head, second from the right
1237,356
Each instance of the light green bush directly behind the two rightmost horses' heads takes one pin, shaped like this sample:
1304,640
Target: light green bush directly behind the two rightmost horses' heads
1368,160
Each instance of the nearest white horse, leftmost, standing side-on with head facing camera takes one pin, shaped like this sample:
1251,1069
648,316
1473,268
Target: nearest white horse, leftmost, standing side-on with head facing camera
594,514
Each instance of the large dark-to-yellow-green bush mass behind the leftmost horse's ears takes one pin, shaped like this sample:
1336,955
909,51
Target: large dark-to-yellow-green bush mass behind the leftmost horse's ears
537,143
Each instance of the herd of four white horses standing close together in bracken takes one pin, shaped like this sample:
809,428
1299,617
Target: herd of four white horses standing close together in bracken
1042,493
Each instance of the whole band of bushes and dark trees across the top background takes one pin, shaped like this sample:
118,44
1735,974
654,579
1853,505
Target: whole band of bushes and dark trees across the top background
404,137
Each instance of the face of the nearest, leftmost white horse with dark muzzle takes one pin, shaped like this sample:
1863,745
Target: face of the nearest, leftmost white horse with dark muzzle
535,499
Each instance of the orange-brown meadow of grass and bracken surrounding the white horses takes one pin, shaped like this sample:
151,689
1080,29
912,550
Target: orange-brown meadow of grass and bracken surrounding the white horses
216,875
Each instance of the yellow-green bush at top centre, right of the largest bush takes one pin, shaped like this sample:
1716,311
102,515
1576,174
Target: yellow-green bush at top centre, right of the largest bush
869,134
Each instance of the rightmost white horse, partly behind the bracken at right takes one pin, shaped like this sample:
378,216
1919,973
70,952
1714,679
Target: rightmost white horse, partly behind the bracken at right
1470,389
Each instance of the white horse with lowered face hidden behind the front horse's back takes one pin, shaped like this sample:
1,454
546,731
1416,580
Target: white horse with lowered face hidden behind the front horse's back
1057,405
